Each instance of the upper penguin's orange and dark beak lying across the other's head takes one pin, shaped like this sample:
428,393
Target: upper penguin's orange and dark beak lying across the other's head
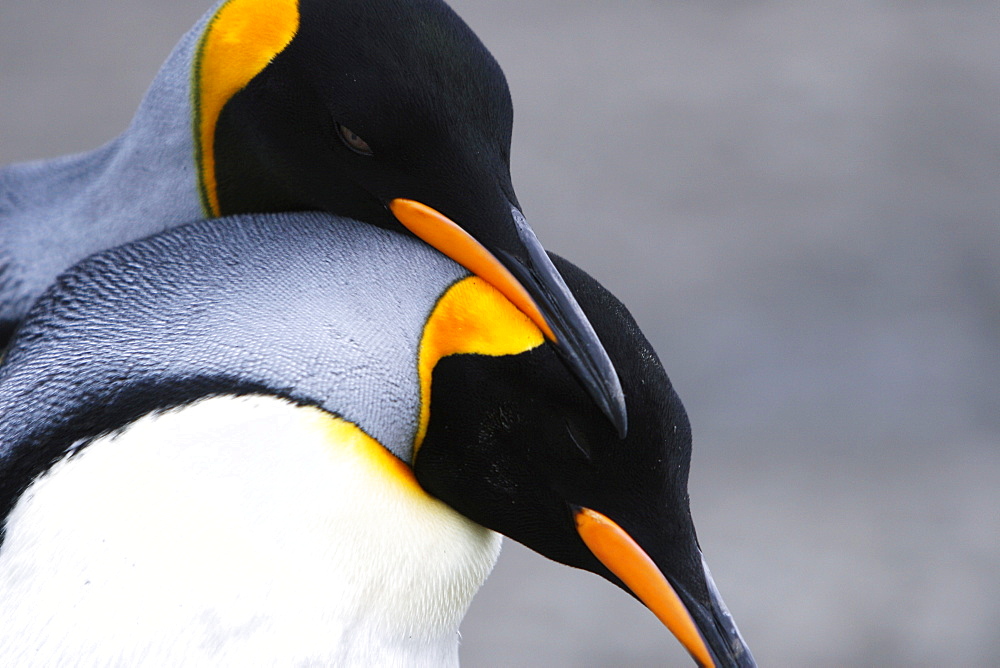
536,288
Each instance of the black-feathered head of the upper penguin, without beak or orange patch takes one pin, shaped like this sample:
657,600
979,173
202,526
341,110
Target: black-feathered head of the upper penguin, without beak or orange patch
370,102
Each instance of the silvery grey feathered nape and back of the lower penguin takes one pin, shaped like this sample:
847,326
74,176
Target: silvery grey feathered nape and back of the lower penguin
323,310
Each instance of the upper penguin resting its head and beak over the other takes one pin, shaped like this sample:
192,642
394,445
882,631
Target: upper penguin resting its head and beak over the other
391,112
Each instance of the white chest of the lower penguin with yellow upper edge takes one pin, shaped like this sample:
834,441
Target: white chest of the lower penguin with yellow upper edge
236,531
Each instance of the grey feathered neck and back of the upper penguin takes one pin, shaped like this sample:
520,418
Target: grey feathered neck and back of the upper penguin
54,213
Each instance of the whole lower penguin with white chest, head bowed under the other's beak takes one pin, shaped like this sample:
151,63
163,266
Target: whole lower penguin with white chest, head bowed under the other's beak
260,440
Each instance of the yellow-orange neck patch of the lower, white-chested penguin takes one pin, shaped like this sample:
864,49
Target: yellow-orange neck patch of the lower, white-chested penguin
471,317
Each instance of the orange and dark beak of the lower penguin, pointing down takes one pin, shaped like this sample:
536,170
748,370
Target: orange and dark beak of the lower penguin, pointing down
709,635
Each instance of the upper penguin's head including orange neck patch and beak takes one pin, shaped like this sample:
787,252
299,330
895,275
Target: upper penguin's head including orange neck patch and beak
392,113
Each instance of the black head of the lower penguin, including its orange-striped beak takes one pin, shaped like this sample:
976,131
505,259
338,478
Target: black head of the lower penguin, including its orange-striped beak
513,443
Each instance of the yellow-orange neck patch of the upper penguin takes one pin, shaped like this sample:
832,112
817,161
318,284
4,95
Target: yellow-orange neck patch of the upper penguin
239,41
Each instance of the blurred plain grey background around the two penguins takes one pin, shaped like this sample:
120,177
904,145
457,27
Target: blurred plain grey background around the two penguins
800,203
